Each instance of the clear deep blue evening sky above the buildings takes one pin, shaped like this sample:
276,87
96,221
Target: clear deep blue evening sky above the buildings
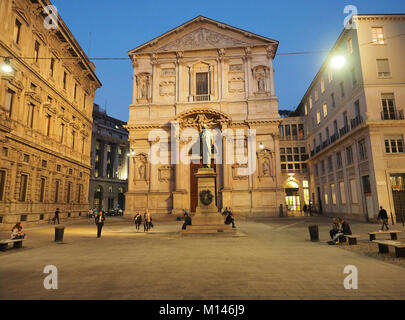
119,26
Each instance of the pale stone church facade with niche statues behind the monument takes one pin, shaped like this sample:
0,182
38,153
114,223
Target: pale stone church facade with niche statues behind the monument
204,73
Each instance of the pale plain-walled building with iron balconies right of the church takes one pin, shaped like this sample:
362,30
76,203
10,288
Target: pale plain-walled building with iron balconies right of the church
354,117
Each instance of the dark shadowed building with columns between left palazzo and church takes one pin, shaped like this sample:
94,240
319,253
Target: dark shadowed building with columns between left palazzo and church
109,159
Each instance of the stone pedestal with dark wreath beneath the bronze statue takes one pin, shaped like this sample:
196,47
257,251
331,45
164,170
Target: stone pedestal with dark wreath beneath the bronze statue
207,219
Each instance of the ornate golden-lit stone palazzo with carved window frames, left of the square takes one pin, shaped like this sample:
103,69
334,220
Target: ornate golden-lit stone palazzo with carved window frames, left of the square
46,105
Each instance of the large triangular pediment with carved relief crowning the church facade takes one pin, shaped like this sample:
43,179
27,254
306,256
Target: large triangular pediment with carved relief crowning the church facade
202,33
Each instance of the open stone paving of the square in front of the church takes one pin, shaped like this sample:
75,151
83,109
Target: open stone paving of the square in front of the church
265,259
